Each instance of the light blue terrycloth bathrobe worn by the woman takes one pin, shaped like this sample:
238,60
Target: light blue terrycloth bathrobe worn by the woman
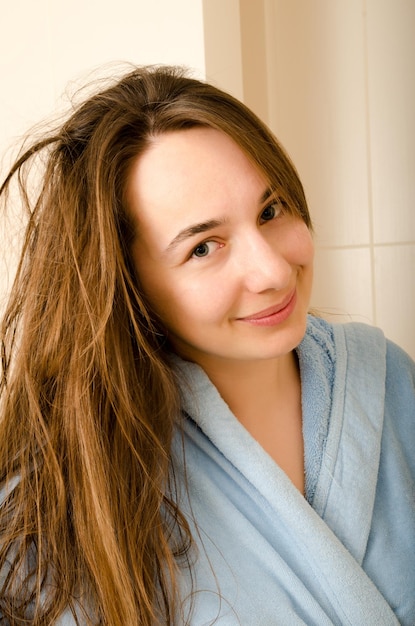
345,554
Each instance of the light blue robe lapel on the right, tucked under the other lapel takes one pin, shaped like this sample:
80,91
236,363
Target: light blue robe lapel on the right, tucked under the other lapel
345,475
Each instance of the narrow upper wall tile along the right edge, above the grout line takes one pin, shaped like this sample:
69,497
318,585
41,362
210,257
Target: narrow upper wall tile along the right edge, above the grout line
391,80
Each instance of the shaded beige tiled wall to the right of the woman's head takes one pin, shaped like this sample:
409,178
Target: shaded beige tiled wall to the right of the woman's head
335,80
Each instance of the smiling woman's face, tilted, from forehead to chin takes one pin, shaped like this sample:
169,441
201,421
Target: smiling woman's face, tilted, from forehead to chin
225,266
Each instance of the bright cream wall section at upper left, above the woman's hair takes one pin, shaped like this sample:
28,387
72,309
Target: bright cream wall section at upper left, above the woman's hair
45,44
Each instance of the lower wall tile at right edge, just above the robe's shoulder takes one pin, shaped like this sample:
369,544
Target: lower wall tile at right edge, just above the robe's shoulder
395,293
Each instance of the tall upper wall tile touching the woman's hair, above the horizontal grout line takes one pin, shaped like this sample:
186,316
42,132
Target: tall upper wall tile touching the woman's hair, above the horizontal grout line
318,109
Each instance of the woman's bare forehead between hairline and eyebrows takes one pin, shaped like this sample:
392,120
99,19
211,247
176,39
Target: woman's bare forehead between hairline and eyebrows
180,166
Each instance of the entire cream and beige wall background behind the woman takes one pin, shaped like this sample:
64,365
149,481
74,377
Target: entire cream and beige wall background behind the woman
335,79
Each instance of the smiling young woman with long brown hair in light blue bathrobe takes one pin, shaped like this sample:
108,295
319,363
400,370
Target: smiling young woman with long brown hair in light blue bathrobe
179,441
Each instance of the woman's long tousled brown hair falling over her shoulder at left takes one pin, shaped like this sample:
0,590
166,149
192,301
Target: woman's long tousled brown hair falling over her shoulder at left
89,403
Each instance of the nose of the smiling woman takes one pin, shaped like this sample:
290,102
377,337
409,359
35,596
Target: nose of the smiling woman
263,265
